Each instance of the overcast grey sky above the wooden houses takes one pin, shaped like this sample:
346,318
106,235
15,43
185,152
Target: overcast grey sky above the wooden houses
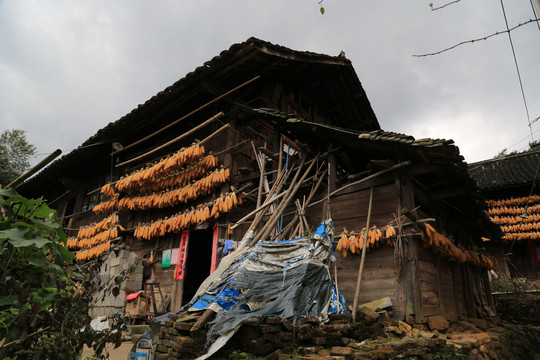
68,68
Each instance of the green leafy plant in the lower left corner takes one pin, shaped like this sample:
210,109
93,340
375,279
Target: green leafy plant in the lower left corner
44,302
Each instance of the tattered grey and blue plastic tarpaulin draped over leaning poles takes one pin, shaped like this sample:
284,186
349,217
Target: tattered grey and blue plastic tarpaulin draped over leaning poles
287,278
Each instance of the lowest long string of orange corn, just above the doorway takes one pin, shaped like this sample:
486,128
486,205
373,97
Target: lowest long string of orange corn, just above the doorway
184,220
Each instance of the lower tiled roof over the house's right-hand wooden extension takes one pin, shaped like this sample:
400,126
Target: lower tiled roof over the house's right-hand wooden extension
439,168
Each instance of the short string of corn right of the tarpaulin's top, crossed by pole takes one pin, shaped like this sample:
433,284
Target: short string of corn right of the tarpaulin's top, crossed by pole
354,242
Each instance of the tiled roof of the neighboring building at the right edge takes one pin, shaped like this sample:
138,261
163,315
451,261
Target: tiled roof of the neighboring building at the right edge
510,171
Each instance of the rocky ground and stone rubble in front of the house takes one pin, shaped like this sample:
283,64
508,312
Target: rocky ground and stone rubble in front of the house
372,337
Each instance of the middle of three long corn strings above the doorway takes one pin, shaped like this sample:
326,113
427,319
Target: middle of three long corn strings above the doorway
174,197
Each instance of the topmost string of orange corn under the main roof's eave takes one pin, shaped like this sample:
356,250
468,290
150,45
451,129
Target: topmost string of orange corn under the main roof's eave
174,162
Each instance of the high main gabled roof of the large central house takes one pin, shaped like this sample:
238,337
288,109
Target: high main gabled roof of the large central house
325,80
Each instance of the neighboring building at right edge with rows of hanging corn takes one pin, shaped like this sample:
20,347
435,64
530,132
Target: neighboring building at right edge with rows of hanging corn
510,186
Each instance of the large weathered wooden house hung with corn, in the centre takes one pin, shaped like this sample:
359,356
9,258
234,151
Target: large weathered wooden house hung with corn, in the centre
172,174
